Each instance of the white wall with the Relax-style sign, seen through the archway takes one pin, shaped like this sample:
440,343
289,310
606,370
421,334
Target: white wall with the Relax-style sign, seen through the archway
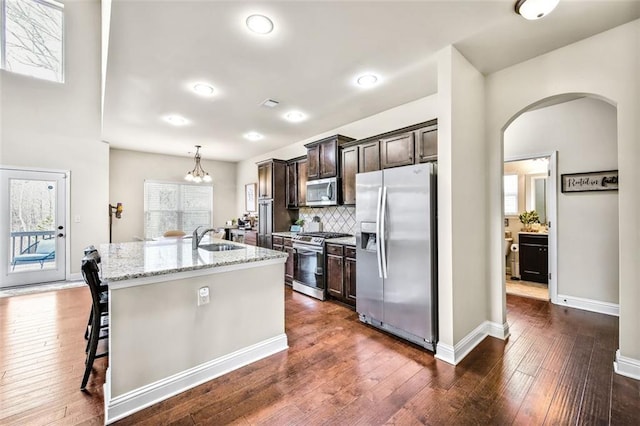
584,134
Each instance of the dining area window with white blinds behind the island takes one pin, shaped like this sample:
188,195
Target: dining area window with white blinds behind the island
176,206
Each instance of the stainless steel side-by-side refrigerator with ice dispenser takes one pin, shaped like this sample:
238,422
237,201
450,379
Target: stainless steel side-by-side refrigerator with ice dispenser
396,268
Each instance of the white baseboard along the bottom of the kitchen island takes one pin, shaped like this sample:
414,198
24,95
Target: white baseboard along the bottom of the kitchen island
137,399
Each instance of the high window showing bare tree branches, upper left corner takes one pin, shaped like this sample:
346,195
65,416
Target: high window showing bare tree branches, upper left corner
32,42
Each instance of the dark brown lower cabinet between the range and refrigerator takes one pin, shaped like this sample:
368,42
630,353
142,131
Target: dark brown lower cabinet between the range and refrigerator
341,273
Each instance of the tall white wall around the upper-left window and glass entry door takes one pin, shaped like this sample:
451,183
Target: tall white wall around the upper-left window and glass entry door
57,126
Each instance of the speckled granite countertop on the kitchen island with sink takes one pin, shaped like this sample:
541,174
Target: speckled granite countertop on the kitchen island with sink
138,259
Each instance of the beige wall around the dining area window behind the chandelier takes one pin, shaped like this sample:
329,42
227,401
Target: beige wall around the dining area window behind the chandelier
129,169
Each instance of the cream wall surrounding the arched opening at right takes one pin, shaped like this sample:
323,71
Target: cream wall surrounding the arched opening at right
607,65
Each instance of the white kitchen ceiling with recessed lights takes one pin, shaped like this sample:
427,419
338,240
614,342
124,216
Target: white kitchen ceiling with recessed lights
159,49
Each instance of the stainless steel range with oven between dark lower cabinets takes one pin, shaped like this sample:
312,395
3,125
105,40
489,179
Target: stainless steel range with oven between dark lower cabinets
308,252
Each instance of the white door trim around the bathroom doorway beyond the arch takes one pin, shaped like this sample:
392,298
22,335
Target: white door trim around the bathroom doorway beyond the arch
552,216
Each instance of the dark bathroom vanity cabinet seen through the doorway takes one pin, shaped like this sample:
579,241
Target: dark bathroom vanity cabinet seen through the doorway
534,257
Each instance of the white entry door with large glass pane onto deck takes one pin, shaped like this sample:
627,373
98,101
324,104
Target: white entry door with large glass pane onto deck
32,227
